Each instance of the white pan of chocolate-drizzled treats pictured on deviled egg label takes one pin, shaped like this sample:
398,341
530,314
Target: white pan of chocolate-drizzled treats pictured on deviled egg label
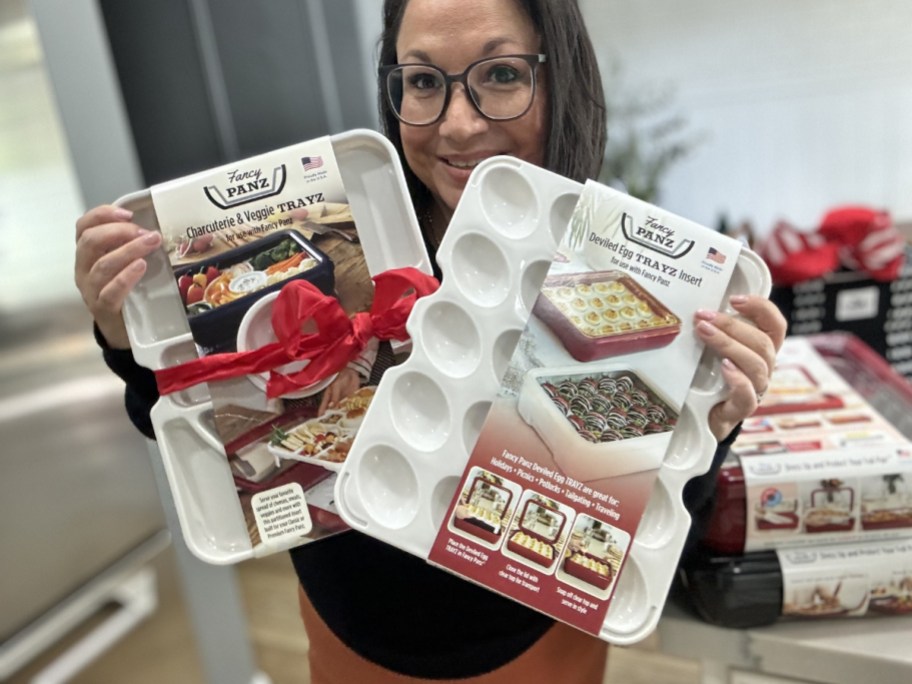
601,421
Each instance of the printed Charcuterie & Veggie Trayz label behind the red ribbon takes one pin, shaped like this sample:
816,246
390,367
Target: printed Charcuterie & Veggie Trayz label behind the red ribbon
236,236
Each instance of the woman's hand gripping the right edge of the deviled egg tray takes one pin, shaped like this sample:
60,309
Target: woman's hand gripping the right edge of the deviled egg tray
748,349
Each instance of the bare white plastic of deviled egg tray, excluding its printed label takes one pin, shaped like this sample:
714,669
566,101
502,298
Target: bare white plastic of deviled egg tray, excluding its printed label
407,460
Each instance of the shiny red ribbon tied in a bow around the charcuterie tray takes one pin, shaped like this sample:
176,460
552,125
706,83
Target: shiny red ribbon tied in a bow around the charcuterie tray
337,340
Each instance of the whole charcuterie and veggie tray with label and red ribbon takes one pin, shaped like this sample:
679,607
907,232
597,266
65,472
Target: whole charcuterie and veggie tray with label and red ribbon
248,315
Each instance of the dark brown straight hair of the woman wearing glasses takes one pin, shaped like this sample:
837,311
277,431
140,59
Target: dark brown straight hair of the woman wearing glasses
576,101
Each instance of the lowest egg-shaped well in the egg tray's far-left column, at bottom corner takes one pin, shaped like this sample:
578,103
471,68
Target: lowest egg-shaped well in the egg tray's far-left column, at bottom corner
388,486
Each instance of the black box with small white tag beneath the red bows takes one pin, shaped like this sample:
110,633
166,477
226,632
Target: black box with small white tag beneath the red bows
880,313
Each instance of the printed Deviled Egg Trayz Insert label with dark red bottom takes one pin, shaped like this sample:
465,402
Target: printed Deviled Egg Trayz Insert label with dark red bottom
566,461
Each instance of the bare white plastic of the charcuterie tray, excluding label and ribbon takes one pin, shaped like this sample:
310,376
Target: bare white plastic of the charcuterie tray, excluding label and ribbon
194,458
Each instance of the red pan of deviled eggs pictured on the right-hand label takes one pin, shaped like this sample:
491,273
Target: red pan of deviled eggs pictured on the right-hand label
604,313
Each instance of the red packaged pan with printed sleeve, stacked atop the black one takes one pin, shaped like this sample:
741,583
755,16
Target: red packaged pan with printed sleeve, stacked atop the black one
817,463
